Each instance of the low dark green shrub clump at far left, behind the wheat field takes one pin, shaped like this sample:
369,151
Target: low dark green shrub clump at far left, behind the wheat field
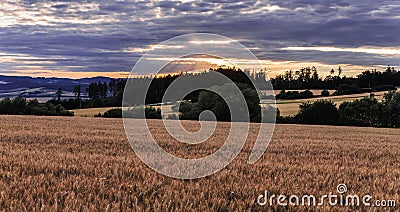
20,106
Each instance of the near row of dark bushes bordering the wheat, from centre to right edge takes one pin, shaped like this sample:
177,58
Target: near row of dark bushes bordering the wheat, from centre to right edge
365,112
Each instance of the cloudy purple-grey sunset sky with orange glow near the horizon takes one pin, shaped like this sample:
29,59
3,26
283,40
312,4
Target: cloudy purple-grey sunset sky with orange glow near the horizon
77,38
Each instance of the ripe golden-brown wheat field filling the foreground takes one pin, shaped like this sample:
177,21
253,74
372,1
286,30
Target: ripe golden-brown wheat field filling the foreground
87,164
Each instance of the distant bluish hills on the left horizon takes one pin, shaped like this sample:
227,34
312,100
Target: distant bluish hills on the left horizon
43,88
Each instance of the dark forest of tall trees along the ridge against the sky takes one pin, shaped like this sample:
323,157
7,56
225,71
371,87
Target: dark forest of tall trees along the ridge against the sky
111,94
